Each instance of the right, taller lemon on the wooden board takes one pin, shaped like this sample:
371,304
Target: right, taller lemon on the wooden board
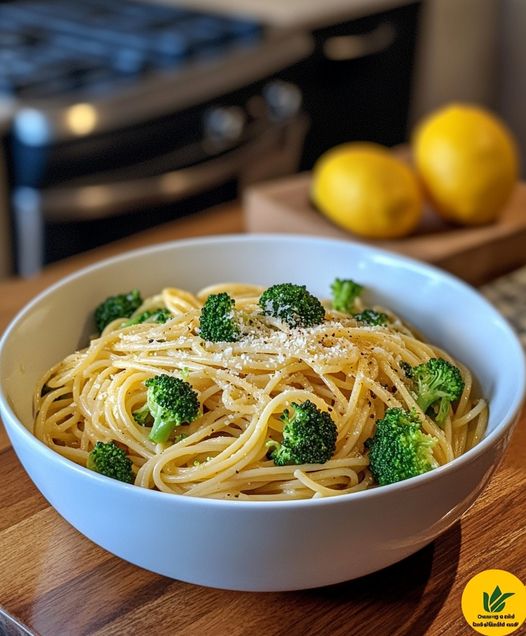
467,160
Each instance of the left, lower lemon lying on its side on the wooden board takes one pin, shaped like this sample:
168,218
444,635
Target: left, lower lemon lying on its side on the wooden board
364,188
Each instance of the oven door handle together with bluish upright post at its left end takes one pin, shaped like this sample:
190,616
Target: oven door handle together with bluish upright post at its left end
66,204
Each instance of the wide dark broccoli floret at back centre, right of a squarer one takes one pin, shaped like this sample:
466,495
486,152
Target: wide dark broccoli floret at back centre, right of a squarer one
293,304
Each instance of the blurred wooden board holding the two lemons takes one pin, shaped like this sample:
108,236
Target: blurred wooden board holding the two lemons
475,254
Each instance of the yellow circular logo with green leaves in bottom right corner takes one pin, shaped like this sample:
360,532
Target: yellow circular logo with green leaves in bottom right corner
494,602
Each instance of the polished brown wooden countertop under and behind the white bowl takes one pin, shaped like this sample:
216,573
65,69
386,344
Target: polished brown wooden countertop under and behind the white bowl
59,583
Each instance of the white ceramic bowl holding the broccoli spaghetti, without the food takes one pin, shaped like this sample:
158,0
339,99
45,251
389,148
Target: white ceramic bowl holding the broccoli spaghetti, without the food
264,545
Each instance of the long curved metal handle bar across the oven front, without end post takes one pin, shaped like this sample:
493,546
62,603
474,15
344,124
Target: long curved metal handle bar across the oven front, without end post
99,201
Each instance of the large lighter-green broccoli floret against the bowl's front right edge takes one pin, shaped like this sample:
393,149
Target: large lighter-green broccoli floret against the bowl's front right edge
399,449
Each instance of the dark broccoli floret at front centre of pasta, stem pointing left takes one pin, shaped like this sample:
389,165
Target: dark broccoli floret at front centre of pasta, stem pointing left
309,436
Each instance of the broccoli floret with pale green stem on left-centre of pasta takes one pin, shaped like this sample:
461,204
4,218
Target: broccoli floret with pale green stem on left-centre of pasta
171,402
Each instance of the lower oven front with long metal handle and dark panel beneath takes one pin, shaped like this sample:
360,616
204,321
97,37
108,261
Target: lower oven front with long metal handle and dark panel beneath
57,222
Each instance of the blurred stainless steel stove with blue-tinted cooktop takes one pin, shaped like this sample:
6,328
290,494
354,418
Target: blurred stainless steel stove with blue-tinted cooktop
122,115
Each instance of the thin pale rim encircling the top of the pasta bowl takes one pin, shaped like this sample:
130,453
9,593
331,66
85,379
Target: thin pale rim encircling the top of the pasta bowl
456,464
